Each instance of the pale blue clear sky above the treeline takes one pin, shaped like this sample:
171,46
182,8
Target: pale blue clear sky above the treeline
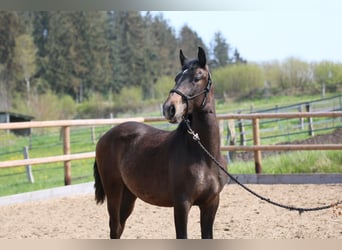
267,34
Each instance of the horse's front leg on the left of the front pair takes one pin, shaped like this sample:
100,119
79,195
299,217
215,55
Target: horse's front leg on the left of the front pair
181,211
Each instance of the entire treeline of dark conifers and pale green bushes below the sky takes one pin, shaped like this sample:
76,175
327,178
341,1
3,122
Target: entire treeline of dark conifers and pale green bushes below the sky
67,64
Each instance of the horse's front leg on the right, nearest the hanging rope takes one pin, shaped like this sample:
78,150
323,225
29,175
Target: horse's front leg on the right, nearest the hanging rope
208,213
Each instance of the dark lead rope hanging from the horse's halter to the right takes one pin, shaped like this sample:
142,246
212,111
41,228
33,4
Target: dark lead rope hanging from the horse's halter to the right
196,138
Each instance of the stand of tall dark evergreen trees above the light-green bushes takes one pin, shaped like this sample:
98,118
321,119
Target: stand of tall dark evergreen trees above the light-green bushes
79,53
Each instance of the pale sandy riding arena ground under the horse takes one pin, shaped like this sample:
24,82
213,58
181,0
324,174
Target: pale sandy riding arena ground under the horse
240,215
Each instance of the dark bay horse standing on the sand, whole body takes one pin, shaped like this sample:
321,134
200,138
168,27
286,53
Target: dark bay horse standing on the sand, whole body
134,160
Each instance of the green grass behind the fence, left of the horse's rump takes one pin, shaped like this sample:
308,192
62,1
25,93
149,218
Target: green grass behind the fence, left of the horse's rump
14,180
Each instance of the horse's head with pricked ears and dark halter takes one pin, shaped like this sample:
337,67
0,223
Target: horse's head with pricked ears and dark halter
191,90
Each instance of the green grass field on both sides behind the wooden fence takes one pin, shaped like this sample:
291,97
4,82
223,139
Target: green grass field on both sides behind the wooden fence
49,142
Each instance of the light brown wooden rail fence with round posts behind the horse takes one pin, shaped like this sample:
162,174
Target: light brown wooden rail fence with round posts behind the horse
256,147
